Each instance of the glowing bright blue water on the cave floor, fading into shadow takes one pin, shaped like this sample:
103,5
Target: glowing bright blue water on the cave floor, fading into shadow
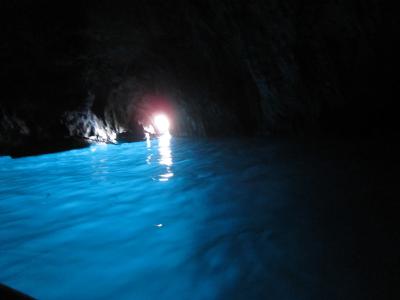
170,219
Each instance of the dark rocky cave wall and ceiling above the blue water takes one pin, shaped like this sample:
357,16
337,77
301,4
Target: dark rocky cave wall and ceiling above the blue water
223,67
